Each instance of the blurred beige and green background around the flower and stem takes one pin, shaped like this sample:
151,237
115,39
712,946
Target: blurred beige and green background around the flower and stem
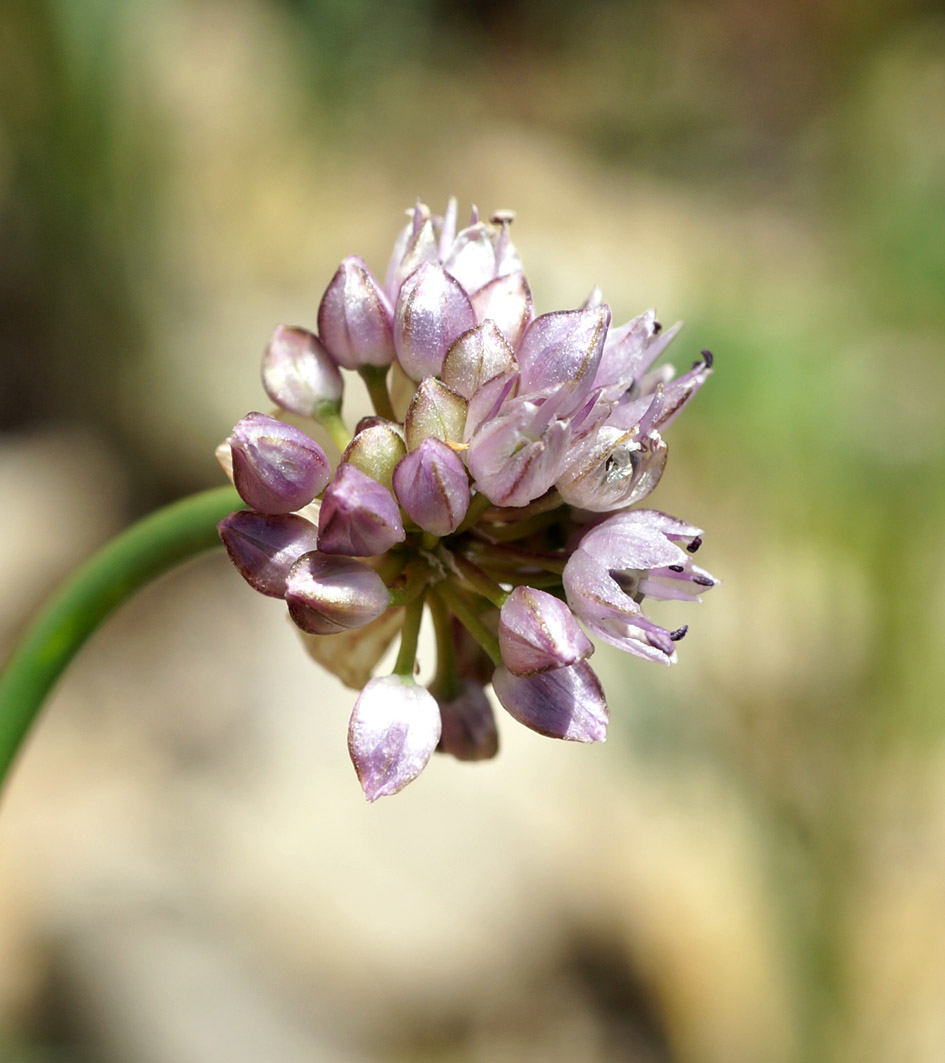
753,868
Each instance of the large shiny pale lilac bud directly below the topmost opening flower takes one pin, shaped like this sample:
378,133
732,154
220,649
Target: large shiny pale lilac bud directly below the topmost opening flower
432,311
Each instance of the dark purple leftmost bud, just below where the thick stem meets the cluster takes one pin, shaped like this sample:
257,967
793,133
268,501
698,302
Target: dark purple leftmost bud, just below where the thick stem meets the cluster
264,549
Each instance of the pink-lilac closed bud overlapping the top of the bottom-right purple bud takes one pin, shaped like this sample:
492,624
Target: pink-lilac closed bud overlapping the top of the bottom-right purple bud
538,633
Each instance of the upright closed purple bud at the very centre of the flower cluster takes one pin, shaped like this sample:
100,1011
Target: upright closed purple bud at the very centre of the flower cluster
433,487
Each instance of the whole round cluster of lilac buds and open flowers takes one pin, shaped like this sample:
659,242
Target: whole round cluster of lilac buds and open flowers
494,488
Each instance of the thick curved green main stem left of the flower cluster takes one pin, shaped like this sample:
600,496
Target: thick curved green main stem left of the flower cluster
121,568
